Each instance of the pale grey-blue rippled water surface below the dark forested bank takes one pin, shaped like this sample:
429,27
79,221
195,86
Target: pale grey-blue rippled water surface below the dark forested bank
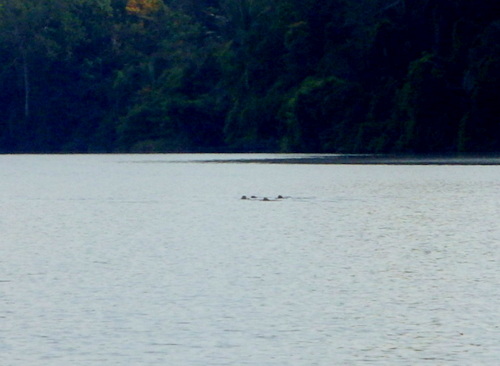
155,260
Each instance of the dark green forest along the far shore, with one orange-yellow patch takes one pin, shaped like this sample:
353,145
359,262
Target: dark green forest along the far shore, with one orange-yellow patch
416,76
